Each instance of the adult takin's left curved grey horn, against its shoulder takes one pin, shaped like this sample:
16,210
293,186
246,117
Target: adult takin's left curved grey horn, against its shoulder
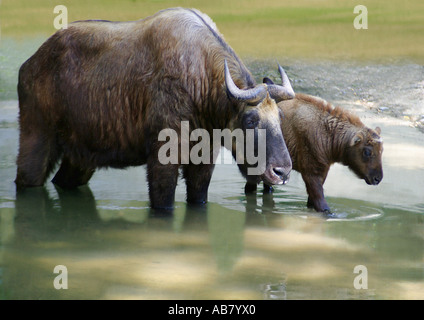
253,96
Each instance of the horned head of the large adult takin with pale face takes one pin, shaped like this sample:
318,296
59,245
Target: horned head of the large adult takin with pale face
259,119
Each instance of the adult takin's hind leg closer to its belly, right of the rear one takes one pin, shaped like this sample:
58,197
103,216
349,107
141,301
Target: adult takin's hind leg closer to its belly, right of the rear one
71,175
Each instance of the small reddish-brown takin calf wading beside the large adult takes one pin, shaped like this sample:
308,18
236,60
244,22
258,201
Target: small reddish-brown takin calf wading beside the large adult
317,135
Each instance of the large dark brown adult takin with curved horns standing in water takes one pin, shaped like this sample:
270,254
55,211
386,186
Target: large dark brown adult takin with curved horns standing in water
98,93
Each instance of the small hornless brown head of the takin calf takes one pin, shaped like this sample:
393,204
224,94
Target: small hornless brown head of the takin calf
364,154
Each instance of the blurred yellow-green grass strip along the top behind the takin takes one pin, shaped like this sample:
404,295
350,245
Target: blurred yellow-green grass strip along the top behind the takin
257,28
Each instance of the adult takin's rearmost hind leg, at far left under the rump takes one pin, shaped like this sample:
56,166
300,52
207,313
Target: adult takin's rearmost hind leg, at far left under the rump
37,157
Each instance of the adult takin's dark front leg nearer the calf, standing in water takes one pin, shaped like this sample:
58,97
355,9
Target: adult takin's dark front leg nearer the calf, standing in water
198,178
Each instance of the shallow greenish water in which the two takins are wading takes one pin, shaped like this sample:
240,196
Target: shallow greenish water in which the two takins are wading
237,246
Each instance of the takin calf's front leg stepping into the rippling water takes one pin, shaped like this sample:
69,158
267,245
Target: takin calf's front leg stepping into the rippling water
314,187
